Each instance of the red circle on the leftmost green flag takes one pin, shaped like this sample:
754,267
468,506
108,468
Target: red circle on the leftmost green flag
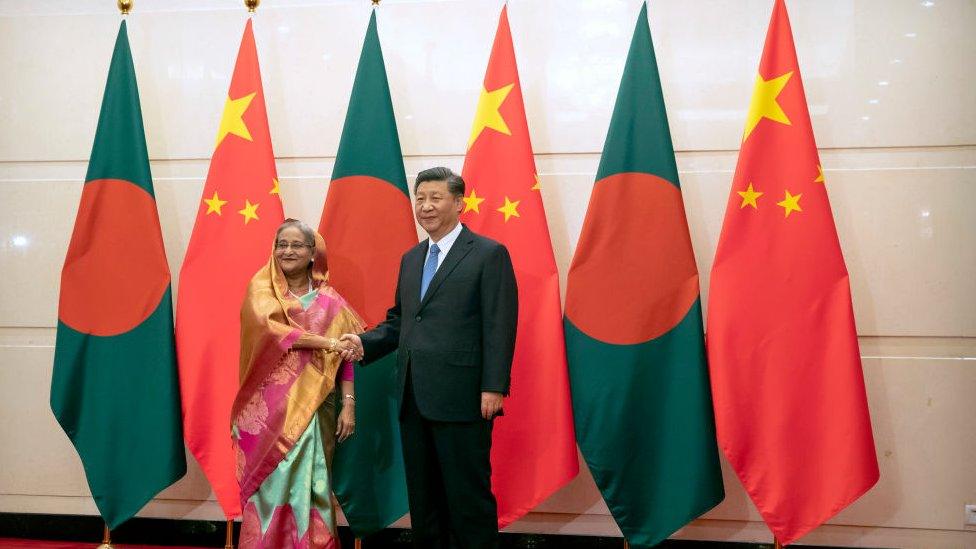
115,273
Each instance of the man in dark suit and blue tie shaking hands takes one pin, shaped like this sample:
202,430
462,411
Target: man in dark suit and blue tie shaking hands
453,320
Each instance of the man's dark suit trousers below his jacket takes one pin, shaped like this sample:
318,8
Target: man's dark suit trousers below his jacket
448,471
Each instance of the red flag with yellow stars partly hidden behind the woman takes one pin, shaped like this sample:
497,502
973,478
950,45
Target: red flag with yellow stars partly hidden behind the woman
232,237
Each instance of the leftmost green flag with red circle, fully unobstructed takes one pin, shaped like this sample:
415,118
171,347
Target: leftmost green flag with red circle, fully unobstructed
115,390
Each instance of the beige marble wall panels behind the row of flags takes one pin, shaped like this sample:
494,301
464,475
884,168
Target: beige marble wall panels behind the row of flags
891,92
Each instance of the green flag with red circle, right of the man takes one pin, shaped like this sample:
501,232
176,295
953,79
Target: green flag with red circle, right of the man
634,337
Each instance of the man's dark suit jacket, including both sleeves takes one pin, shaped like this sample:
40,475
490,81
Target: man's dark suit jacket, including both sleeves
460,339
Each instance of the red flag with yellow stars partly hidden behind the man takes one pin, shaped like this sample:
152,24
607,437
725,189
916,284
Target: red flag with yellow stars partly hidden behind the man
534,449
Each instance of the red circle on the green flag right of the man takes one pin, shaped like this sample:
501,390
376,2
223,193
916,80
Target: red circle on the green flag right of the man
633,277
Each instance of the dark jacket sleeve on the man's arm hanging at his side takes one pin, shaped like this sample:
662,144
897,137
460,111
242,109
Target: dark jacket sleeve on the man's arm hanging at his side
499,302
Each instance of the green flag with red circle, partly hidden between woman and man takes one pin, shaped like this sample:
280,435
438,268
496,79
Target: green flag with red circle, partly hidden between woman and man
368,225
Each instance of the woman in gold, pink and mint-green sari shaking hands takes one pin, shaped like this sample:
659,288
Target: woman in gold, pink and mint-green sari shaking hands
284,418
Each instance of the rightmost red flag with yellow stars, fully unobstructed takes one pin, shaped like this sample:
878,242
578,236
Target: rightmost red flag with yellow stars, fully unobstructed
790,406
